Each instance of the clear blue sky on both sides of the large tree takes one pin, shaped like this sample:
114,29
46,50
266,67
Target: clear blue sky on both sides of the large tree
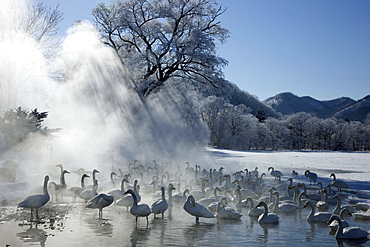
315,48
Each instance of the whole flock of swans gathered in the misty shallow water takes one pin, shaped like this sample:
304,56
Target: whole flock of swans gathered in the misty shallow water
204,194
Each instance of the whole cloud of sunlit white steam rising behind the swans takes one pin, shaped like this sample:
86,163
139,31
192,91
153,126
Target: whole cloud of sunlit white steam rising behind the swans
104,123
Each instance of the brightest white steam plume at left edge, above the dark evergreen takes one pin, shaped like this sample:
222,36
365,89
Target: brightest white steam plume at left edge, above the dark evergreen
22,64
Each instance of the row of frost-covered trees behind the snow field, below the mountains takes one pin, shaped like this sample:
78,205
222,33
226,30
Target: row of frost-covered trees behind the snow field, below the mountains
234,127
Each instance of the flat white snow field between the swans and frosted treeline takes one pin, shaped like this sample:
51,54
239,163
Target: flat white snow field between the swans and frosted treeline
346,165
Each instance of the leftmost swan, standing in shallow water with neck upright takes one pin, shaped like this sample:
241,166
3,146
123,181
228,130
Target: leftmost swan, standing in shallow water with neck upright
36,201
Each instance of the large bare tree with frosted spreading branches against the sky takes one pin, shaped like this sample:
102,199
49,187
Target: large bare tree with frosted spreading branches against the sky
163,39
